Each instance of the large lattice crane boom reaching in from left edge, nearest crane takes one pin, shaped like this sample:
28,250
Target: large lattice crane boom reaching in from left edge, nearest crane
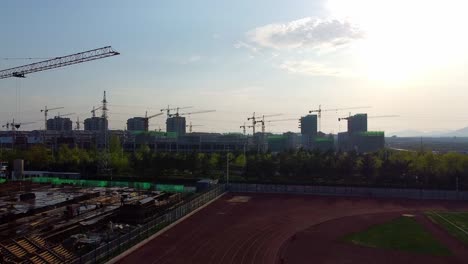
58,62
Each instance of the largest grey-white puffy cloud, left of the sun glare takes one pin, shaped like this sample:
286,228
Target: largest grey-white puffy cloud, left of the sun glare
303,33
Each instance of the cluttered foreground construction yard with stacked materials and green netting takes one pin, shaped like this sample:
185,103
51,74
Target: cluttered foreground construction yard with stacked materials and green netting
57,222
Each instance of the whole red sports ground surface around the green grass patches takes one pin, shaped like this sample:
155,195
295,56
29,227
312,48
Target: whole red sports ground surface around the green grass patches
282,228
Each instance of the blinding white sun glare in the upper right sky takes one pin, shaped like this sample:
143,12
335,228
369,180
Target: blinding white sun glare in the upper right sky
404,40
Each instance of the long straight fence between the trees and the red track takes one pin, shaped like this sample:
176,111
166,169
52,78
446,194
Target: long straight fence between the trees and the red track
350,191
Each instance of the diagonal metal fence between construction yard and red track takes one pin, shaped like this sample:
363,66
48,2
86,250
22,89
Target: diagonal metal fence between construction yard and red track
125,241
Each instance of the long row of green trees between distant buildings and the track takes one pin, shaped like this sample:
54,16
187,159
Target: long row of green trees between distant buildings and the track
384,168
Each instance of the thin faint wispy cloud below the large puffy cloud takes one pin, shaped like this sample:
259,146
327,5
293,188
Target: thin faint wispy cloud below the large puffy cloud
311,68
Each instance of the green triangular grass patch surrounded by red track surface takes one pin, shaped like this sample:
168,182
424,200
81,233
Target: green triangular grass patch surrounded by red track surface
402,233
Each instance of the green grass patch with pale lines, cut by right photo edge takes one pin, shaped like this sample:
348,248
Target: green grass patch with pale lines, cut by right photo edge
448,219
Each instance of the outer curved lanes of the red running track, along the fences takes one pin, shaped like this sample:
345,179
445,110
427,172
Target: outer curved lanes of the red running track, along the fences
260,230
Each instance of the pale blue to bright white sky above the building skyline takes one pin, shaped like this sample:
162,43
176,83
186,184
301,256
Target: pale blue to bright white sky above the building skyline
391,57
